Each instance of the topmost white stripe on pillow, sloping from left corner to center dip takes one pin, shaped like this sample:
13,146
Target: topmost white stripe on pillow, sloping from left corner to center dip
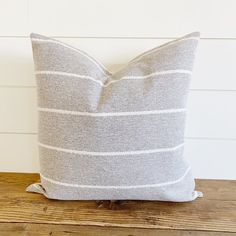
98,64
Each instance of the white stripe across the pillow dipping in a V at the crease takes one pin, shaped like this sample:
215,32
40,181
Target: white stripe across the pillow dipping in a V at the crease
166,72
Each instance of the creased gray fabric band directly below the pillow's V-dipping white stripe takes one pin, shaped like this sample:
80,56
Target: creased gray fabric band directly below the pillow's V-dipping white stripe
160,96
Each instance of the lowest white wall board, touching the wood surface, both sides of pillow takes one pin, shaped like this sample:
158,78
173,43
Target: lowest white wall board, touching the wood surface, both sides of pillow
218,155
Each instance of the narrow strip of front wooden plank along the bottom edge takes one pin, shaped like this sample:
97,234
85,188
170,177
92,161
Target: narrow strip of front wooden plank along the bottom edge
22,229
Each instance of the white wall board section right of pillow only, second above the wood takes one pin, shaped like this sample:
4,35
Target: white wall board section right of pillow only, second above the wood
211,114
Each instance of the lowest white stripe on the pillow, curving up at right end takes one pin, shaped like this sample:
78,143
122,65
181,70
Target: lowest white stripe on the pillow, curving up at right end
117,186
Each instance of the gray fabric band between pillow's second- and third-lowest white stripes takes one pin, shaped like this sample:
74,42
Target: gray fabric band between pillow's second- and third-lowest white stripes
125,133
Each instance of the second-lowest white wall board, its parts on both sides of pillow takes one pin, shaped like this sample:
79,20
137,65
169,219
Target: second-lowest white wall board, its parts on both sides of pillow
210,114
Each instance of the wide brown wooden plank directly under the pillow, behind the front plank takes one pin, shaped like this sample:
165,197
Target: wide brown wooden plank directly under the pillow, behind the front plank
211,213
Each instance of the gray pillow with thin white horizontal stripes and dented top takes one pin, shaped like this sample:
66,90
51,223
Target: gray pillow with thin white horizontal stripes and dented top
113,136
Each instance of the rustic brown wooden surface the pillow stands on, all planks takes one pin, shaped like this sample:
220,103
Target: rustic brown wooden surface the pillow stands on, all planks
24,213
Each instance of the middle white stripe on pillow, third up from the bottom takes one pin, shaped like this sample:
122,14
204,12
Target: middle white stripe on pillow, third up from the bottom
106,114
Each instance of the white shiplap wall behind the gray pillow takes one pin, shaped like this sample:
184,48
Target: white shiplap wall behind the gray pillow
114,31
